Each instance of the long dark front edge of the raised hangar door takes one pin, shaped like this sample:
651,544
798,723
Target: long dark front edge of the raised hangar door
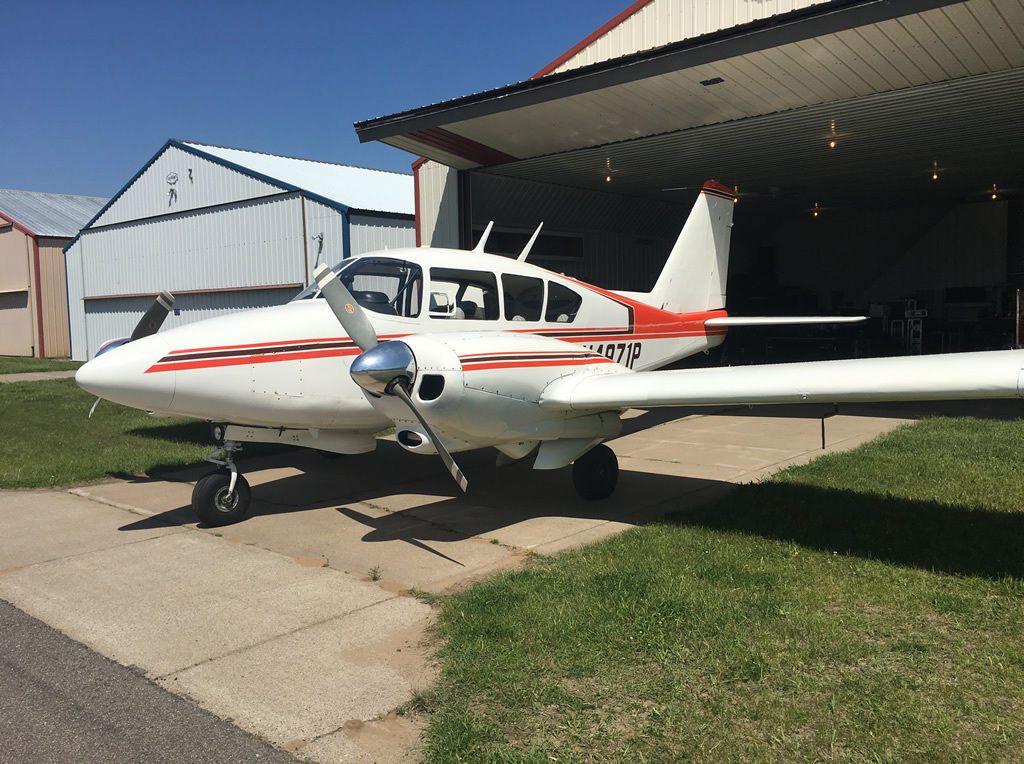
774,31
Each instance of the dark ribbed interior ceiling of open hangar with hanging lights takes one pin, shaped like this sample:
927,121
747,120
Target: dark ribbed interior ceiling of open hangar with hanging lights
887,148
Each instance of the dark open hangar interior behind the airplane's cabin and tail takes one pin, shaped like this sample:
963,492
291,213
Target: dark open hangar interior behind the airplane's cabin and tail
905,207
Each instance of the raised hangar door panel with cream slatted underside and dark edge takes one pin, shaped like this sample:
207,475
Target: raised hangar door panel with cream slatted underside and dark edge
826,55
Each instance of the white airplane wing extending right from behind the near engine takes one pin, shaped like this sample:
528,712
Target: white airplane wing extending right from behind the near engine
975,375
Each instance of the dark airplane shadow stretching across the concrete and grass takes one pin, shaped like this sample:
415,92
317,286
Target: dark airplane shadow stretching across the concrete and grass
403,497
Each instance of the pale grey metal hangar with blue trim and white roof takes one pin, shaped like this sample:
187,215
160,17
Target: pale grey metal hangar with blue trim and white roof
224,230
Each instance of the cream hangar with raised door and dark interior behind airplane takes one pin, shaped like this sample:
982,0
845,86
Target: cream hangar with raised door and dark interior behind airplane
874,146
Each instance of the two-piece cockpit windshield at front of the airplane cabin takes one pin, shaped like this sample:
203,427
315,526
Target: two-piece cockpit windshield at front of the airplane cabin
383,285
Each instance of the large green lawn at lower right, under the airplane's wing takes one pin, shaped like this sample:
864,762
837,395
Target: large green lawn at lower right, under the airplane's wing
869,607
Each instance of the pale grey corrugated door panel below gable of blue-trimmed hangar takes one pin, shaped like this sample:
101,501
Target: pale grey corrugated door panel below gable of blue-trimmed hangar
250,244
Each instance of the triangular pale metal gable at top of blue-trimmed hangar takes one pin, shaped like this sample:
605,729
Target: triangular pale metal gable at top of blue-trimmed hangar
211,184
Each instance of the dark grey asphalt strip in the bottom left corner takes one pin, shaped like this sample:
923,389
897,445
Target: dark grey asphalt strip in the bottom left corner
61,702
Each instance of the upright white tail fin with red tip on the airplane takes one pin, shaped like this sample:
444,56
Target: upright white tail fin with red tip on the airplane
695,276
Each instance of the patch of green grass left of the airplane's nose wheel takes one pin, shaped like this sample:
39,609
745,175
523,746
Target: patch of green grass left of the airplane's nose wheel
47,440
